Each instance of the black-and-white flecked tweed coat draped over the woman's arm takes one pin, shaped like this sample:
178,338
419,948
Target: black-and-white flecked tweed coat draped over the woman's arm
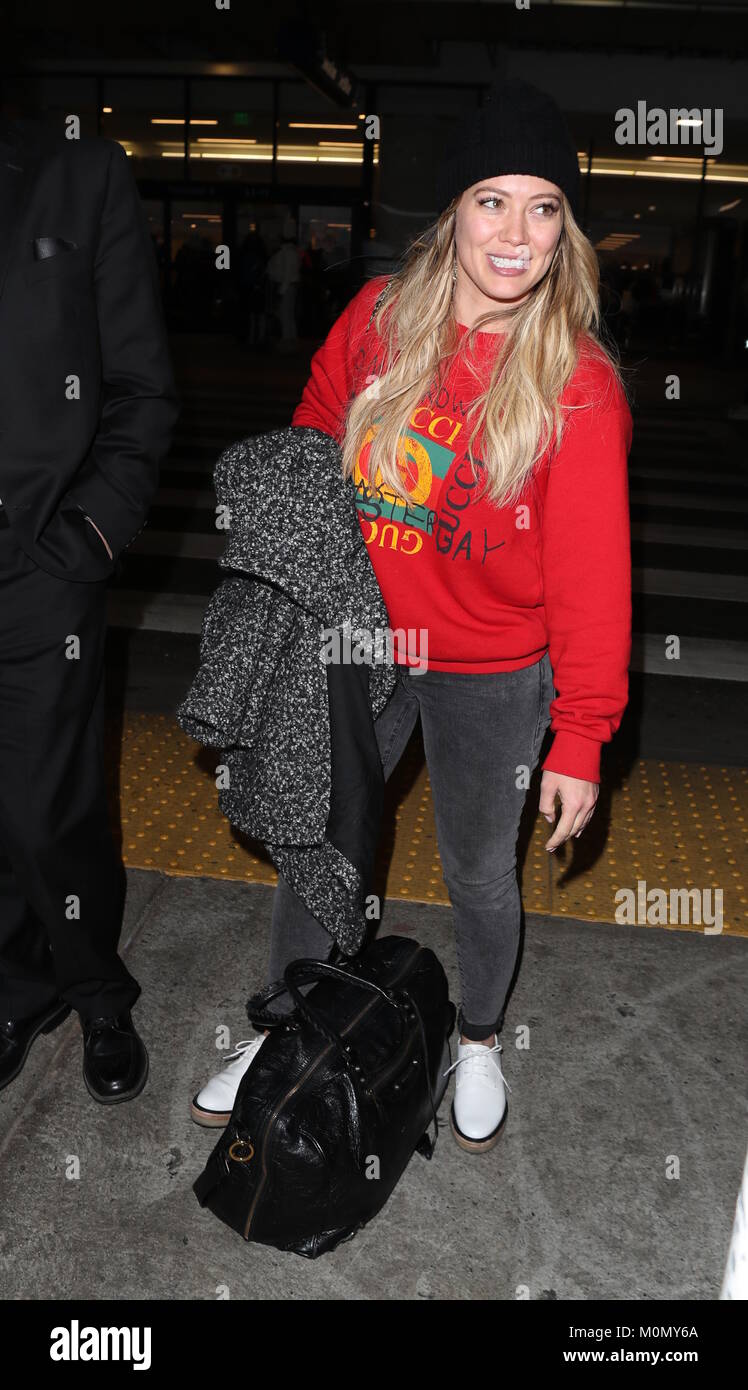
262,696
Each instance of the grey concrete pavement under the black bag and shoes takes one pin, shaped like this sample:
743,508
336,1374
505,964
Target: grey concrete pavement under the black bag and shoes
635,1072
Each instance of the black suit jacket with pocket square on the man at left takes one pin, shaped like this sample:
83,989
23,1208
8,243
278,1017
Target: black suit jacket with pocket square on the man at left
88,401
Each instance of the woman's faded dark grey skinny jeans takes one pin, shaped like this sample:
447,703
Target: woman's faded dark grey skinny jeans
483,736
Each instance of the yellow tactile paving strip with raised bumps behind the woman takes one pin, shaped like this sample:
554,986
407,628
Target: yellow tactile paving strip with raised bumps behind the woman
658,826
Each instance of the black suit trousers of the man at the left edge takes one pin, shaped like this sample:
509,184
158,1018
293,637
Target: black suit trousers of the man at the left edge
62,881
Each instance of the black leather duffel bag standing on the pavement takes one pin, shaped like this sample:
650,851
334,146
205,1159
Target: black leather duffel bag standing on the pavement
341,1095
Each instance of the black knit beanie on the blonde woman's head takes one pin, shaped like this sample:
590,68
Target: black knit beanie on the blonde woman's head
519,130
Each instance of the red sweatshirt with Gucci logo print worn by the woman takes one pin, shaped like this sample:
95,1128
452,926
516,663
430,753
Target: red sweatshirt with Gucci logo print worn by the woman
471,587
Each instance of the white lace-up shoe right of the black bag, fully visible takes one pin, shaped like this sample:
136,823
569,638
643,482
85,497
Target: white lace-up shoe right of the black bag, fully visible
479,1111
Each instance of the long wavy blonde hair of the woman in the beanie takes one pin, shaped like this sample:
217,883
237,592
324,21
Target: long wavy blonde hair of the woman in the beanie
518,414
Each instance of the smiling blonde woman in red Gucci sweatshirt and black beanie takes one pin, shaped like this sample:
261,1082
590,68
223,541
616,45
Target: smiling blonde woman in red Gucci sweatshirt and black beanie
489,432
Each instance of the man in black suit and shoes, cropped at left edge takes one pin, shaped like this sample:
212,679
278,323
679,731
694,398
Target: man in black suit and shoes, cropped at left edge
88,408
